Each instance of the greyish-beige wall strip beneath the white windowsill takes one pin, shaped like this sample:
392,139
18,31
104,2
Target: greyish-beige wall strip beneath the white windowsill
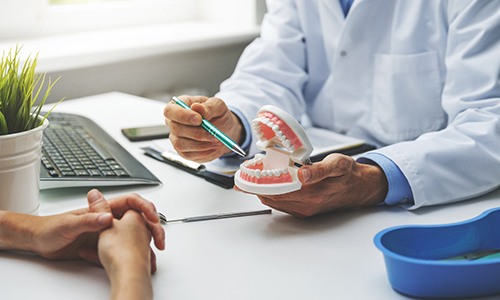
165,74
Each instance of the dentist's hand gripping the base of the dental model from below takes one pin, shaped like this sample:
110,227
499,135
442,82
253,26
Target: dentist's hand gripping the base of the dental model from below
337,182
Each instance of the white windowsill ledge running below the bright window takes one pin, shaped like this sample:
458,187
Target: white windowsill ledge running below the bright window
88,49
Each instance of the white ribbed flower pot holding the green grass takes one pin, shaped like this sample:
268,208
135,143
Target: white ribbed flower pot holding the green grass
20,155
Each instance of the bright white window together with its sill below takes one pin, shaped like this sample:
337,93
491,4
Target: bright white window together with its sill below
74,34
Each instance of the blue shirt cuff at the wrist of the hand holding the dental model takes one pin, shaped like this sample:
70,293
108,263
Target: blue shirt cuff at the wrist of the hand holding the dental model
399,190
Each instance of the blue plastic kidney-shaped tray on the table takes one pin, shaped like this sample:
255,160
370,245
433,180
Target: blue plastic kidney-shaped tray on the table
435,260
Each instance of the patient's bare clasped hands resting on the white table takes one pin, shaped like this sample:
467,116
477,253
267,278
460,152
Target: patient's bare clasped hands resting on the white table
106,230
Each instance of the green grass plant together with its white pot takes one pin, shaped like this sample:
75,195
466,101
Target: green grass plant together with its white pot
21,128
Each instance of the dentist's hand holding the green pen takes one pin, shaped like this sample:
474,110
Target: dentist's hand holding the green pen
193,142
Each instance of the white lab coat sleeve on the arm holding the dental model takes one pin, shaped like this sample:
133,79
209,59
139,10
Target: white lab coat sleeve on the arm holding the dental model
462,160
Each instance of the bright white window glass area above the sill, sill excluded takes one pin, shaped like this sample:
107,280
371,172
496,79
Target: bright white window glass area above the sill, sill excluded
28,18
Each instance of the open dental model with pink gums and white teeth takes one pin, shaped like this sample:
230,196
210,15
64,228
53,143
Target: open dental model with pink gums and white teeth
285,143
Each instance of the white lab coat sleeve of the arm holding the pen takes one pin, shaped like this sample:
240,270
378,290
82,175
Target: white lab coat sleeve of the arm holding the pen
271,68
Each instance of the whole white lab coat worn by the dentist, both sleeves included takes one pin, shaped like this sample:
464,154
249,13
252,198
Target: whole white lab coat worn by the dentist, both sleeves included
419,78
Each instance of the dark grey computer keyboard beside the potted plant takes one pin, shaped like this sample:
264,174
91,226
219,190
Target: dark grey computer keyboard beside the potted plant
78,152
